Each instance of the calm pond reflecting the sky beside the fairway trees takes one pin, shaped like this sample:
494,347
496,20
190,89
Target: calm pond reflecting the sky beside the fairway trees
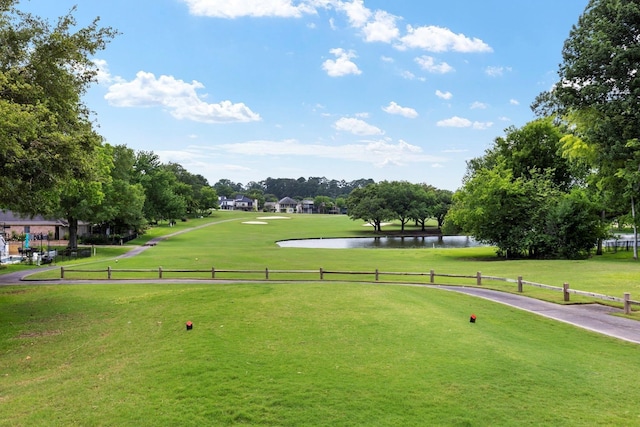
391,242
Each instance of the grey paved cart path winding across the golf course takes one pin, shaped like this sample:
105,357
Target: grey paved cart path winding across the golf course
593,317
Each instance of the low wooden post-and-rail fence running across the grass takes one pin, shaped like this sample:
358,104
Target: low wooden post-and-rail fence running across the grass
376,275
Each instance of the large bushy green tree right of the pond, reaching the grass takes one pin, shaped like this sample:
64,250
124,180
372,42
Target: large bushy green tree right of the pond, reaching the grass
523,206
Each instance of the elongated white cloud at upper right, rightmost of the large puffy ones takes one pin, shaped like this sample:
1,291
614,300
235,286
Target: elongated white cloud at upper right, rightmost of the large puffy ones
439,39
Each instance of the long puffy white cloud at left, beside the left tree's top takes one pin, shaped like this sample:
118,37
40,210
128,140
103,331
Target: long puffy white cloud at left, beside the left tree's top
178,97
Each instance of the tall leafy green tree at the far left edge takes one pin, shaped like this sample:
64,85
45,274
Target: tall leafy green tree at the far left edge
45,130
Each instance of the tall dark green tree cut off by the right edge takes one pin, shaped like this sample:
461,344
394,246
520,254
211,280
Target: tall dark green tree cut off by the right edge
598,94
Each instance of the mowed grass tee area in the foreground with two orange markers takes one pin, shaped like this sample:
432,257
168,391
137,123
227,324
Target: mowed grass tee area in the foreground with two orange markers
289,354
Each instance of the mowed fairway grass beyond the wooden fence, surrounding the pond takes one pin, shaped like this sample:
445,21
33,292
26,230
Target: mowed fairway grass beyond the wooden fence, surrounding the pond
229,243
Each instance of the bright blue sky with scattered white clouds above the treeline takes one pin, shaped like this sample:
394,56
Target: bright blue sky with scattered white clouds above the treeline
346,89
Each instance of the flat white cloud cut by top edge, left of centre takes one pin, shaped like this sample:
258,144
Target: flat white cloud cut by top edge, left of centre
253,8
